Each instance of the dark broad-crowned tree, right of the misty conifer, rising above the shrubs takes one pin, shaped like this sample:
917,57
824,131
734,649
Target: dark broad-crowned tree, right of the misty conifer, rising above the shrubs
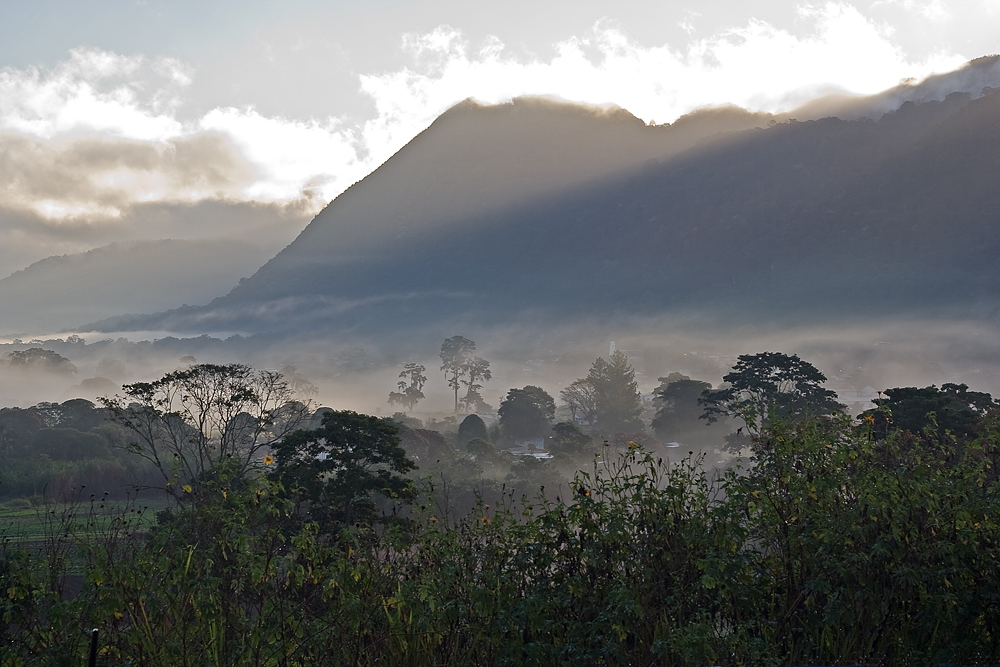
767,385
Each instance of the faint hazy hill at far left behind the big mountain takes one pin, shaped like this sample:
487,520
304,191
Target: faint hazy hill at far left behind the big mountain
122,277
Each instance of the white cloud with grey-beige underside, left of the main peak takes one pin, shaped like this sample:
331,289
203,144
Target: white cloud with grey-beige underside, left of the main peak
101,132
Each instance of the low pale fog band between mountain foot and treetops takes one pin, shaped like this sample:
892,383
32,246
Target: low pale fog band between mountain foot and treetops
359,374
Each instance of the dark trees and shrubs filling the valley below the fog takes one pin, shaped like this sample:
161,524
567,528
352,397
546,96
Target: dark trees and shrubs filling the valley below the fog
216,516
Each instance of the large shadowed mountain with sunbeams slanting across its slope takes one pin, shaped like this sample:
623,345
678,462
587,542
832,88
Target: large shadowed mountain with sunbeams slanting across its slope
539,209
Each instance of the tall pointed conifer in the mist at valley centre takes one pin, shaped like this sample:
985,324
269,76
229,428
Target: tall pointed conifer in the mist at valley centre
616,395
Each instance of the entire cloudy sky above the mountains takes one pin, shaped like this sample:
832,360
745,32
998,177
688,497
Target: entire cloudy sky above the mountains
128,120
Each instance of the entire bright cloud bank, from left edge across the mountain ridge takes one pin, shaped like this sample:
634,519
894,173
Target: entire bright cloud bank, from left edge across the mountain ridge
90,145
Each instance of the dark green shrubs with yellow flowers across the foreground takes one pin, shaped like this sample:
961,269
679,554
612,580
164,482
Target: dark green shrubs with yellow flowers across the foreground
835,547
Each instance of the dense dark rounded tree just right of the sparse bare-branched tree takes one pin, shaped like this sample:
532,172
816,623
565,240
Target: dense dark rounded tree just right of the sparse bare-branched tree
334,473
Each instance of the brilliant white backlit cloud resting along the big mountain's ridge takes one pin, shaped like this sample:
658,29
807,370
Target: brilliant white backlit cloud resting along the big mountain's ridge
757,66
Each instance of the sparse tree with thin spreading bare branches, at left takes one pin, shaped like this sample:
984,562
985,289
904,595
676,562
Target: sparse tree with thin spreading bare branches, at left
192,420
